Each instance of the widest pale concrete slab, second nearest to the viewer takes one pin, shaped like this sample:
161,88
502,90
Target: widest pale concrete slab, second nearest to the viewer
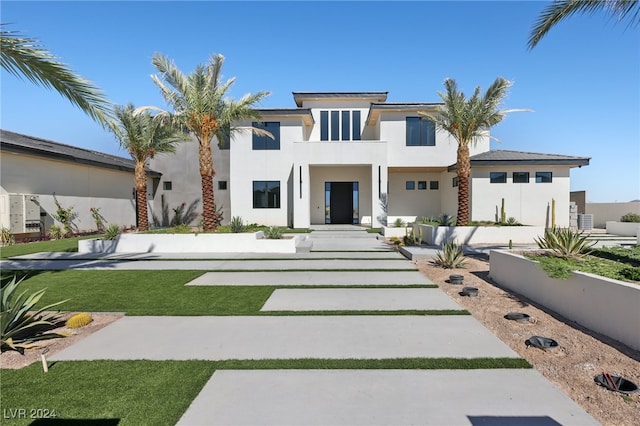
289,337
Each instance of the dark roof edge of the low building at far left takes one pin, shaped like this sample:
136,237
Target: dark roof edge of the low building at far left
117,163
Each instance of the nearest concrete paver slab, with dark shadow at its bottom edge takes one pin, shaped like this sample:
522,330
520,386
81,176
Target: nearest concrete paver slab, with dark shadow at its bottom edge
382,397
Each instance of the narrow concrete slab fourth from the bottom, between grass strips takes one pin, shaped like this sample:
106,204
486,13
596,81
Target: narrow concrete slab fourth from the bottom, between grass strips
352,278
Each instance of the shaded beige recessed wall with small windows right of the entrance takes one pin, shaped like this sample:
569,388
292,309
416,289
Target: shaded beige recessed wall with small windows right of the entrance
417,202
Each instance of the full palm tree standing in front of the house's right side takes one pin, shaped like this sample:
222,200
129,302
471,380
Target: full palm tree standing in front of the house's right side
467,120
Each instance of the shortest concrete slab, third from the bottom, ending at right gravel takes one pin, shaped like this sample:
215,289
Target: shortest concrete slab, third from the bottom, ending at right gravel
369,299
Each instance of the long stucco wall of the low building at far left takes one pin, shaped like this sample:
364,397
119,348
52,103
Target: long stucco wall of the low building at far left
75,185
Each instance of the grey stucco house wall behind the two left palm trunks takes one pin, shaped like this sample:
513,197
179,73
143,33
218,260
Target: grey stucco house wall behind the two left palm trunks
182,170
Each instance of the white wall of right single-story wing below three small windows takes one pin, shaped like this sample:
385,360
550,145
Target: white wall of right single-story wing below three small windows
529,203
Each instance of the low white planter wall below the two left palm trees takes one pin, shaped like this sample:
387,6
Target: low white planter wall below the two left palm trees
191,243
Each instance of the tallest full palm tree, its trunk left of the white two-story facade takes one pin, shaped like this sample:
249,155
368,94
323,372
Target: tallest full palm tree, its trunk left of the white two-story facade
200,106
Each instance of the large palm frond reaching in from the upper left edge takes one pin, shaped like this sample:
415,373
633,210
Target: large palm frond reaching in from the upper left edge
24,57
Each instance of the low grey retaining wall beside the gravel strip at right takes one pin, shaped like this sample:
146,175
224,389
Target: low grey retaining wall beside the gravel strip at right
606,306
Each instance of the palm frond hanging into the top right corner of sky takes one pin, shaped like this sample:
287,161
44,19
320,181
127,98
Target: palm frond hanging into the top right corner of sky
562,9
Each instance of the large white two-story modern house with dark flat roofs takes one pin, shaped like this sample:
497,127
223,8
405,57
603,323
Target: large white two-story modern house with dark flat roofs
337,155
